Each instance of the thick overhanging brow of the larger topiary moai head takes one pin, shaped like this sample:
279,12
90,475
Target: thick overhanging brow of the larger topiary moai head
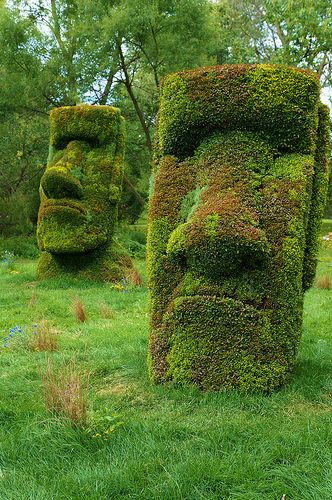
279,100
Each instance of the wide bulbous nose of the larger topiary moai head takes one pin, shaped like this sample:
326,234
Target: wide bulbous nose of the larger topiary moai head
218,245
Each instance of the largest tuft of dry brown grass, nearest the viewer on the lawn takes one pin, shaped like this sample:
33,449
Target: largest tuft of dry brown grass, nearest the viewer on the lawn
66,392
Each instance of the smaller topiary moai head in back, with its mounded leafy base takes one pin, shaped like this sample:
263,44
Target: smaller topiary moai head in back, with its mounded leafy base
80,192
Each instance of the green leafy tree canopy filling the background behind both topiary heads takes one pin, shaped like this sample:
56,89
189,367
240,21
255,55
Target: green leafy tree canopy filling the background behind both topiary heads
63,52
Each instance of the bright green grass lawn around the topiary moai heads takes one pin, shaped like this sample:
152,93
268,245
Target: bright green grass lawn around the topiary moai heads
168,443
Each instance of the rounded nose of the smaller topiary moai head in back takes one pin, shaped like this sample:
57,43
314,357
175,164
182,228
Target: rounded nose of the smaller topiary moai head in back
57,182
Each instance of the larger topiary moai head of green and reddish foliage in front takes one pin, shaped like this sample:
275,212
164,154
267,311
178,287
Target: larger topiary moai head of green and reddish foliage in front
238,195
